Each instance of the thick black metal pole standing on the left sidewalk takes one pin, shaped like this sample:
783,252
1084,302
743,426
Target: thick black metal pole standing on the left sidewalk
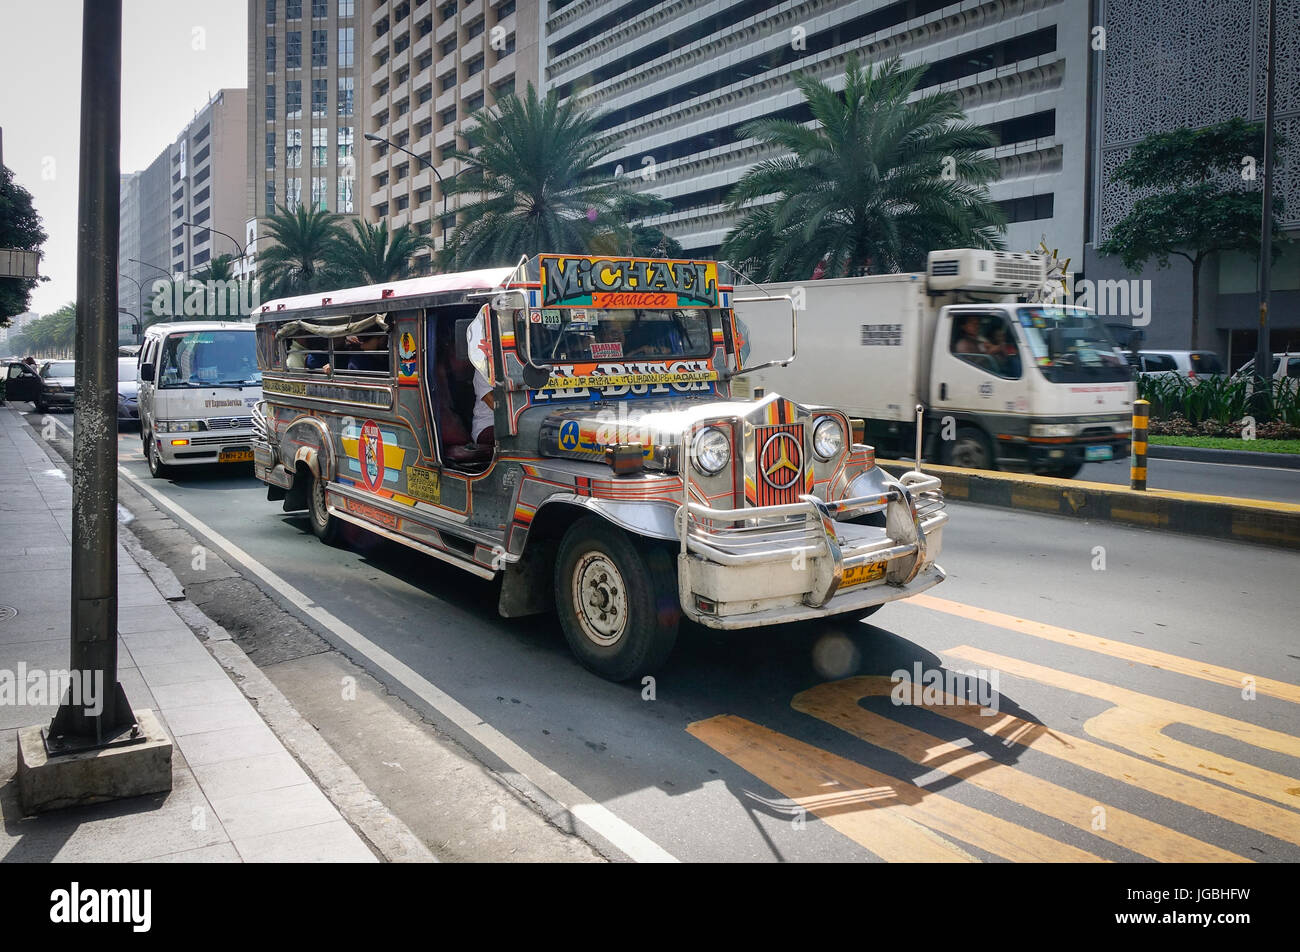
94,565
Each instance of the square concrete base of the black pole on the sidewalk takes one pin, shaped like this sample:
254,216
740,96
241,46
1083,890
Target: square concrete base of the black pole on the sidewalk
93,777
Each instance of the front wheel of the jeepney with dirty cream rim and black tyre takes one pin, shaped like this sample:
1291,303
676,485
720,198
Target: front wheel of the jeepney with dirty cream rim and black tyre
617,602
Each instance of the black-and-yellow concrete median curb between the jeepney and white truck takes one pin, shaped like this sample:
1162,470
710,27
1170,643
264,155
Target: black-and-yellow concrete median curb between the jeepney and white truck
1216,517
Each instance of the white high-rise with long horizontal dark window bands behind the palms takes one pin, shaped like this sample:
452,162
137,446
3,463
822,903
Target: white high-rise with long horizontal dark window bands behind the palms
677,81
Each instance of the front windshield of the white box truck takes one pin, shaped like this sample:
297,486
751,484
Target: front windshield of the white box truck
1071,345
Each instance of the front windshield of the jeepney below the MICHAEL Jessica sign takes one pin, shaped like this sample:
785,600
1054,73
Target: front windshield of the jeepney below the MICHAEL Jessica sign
580,335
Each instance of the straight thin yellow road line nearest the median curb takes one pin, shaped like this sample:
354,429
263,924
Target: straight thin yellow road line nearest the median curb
1116,650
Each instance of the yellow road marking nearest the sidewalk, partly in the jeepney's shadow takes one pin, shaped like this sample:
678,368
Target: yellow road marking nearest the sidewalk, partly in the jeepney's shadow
885,815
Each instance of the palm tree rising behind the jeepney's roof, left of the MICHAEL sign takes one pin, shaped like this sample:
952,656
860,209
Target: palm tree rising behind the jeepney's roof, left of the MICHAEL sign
530,165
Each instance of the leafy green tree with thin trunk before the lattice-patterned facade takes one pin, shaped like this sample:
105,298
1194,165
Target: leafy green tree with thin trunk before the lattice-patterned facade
1199,200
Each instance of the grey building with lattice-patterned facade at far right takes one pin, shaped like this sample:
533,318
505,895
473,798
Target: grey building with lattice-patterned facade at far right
1164,72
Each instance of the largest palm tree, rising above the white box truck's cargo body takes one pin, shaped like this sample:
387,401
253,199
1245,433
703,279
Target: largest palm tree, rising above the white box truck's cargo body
873,187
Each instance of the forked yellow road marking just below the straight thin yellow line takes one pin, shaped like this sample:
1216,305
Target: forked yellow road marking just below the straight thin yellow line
1142,734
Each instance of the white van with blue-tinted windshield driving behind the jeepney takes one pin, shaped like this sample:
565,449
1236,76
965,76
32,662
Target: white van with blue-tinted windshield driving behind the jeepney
198,386
